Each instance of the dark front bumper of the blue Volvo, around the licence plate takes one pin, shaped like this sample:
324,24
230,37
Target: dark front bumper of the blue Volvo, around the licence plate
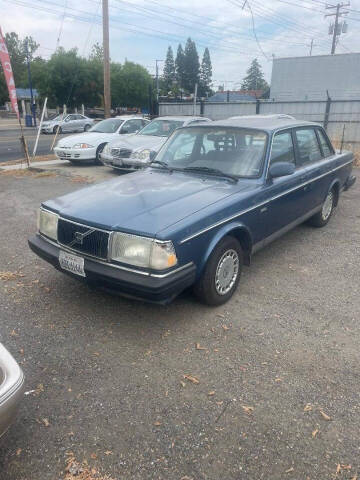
148,287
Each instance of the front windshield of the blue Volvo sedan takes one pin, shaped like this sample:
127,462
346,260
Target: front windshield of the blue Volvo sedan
232,151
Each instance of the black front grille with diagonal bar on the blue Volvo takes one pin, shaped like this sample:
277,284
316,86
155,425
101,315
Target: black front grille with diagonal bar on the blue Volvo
83,239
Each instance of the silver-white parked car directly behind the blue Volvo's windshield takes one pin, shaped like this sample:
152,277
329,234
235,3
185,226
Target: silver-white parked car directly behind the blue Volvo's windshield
137,151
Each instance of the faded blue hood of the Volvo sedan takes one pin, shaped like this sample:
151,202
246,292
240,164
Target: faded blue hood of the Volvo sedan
144,202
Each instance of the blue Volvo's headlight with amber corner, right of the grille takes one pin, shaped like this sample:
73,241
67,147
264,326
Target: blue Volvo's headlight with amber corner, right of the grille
142,251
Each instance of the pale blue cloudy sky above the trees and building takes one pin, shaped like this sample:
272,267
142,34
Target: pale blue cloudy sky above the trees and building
141,30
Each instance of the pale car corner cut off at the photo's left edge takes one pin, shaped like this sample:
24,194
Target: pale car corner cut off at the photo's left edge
11,389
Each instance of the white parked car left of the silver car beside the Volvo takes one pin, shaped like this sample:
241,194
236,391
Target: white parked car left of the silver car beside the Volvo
88,145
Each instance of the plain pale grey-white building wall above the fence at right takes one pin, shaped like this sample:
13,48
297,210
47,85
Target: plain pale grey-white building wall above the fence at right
308,78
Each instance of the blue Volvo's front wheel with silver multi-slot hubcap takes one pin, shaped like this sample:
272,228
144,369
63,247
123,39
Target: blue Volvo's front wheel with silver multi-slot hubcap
215,286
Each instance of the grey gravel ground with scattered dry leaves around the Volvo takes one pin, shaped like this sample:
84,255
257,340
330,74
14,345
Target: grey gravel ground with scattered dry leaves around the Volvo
278,366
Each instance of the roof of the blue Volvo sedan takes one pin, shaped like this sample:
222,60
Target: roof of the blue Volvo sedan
266,123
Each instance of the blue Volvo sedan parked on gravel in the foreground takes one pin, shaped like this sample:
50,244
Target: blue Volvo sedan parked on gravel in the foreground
213,195
